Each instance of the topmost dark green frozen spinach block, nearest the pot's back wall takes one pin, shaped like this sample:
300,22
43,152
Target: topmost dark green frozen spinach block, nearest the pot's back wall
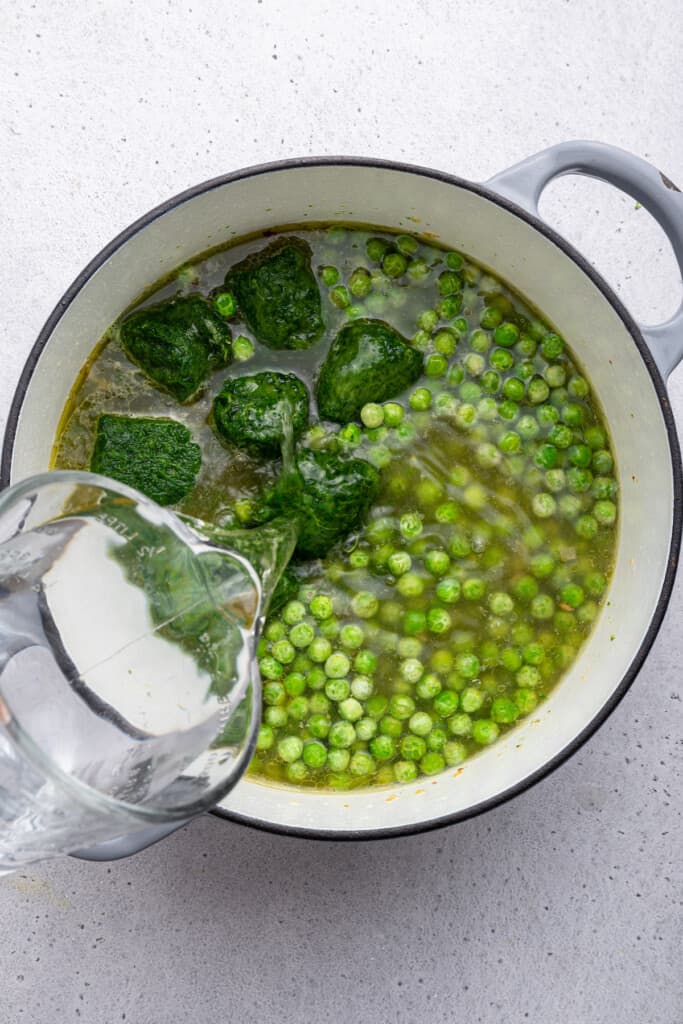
278,295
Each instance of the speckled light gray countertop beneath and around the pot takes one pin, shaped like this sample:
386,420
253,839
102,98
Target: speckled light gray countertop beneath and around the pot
563,906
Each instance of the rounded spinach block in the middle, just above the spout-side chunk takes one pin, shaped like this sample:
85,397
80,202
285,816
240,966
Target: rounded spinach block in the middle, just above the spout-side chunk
251,412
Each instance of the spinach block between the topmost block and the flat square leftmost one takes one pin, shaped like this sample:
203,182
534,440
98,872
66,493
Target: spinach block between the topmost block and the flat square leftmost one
178,344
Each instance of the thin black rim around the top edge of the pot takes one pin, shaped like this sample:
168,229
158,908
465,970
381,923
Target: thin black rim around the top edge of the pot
629,323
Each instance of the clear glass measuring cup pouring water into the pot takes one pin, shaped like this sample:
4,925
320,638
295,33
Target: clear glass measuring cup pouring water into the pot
130,695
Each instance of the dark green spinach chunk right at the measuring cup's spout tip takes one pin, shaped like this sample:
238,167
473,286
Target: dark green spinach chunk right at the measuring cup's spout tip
329,497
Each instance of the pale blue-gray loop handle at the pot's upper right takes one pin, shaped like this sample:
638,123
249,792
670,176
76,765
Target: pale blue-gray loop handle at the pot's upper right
525,183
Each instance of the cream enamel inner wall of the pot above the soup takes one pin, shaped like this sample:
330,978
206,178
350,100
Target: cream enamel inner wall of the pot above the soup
544,274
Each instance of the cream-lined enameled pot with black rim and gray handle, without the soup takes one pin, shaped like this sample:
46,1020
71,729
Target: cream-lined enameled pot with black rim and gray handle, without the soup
499,226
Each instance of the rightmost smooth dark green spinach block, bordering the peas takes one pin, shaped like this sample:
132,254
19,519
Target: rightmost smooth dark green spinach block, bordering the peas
368,362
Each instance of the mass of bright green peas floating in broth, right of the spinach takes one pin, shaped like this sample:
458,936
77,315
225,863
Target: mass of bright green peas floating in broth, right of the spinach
482,569
